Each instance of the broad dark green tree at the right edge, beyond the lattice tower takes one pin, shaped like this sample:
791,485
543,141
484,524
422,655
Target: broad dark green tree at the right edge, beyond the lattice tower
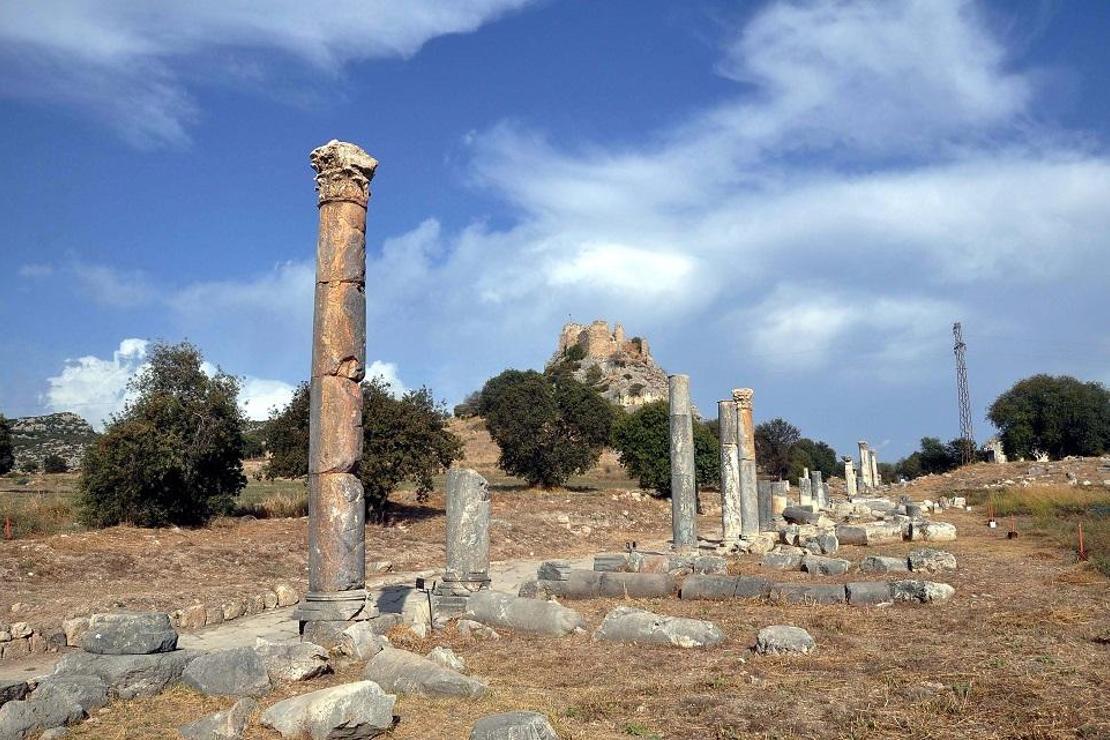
1058,415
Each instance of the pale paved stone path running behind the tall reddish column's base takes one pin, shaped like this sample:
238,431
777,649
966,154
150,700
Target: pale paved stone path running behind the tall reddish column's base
395,593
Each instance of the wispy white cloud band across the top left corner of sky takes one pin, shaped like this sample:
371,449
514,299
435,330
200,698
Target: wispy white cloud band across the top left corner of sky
132,65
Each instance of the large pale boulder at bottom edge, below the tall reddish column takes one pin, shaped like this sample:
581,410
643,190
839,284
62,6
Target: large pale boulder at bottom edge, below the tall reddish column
349,712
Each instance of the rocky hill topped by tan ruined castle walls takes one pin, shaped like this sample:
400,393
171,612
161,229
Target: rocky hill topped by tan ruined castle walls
621,369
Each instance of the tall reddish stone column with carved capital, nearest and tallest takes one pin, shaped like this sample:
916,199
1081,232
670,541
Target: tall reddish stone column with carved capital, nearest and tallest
337,509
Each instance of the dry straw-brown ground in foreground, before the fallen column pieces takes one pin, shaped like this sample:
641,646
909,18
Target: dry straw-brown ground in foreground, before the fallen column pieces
1016,654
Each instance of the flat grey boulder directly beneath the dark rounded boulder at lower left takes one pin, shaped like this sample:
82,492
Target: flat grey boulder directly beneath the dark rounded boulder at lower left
129,677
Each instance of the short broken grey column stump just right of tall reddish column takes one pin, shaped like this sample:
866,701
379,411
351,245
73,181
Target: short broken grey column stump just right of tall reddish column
468,570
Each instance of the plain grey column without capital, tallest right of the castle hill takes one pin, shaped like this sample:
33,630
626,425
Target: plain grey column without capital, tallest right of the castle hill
683,486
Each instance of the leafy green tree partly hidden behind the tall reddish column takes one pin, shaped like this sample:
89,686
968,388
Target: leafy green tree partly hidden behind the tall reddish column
405,440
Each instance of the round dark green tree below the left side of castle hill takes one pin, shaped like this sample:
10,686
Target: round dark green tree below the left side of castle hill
549,428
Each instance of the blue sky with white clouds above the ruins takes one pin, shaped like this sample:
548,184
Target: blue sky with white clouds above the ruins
801,198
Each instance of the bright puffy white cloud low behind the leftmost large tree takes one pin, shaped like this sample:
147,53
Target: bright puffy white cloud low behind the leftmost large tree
93,388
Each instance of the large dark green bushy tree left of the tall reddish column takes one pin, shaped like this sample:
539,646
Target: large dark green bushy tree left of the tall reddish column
175,455
